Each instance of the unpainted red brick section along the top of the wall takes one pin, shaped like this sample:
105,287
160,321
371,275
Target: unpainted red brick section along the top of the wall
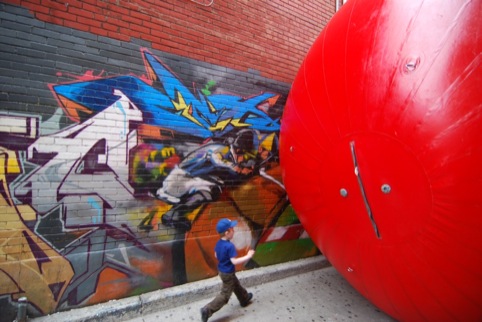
271,37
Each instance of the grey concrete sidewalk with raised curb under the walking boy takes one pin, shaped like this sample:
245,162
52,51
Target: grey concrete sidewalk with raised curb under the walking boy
303,290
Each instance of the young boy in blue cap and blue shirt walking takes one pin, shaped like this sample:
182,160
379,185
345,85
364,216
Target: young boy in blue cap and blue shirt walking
226,253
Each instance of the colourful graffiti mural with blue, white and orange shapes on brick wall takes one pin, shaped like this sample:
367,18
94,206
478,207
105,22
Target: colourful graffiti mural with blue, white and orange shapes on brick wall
123,197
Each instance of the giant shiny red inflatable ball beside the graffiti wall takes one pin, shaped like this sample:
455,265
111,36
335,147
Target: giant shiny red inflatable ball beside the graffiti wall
381,153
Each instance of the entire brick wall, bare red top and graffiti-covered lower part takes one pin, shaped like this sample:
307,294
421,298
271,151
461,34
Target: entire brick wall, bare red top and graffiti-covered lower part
128,129
